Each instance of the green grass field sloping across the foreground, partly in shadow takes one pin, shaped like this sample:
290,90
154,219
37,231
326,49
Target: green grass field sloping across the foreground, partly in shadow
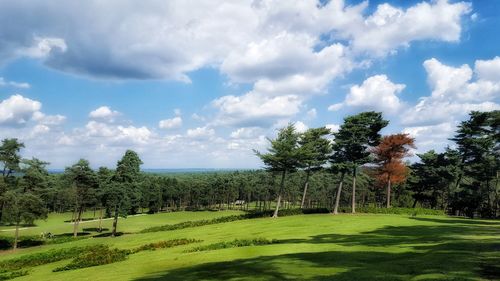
311,247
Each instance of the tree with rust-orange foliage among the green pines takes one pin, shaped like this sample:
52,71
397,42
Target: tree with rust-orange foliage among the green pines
389,156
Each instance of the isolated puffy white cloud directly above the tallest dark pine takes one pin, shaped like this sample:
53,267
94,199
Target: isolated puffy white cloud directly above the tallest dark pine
376,93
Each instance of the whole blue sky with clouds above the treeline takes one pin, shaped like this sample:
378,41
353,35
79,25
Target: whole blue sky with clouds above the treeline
199,84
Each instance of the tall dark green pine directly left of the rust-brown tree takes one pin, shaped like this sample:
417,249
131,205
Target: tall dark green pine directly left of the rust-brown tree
351,145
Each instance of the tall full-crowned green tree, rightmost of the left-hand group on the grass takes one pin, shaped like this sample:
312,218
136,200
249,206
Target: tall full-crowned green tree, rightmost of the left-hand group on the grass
122,193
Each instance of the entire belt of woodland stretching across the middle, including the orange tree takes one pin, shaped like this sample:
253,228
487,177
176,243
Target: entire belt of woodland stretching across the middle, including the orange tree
353,167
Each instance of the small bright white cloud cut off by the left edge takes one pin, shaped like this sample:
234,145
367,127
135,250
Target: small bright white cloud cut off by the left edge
18,110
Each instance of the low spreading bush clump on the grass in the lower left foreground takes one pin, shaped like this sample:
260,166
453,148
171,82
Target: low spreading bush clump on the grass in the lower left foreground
100,255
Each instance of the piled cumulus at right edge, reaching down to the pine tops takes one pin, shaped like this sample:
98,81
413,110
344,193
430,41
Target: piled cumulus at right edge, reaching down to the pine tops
455,91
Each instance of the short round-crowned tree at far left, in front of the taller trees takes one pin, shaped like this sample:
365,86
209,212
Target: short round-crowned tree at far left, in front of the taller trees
22,207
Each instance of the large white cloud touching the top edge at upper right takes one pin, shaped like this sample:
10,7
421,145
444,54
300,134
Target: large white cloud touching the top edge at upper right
389,27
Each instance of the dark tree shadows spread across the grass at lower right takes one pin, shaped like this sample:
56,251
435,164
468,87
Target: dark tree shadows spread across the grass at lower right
435,252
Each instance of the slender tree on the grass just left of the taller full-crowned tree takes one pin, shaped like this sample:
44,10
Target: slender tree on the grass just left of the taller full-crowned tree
84,180
